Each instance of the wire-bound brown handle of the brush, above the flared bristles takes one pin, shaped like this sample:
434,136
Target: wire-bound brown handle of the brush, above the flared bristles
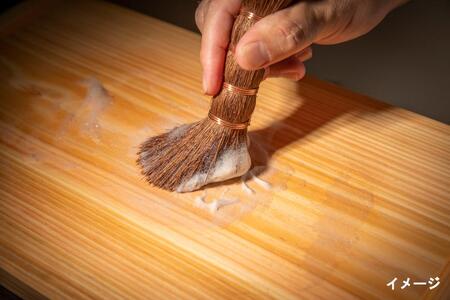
233,107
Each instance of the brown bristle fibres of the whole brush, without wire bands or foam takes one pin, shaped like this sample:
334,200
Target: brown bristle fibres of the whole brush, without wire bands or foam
172,158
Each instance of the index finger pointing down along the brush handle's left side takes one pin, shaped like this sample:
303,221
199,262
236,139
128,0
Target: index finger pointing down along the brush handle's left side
218,23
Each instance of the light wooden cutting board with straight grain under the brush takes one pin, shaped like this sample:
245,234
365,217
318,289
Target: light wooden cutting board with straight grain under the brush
359,190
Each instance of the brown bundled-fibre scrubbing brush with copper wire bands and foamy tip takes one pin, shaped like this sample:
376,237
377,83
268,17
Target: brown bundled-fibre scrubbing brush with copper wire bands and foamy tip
216,148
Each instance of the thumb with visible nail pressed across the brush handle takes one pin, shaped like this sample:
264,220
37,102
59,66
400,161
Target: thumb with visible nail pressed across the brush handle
278,36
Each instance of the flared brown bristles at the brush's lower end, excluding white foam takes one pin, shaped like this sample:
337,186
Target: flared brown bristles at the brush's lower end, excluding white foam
169,159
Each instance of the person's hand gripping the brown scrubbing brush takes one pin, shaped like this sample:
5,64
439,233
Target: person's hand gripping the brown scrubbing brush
281,42
